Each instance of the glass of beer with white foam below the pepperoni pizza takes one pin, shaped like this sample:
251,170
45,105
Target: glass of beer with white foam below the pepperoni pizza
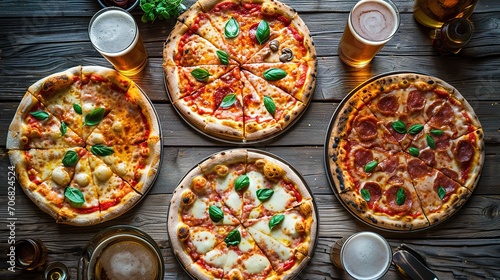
364,255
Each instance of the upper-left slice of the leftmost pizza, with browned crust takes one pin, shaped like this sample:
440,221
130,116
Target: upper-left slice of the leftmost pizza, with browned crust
60,93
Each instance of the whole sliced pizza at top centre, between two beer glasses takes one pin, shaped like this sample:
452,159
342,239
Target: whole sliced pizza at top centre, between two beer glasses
240,70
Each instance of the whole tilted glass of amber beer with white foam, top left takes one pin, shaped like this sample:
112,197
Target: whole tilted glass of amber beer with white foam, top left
115,35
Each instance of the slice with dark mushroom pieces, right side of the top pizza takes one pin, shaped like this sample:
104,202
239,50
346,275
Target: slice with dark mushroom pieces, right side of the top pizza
293,44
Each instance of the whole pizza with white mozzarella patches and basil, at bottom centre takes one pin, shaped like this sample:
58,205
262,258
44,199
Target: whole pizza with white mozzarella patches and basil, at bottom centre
242,214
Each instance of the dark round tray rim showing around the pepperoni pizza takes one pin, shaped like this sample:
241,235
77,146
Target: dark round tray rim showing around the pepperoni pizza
329,143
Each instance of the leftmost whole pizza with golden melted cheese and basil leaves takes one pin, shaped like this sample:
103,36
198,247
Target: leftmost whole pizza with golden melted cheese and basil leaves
85,144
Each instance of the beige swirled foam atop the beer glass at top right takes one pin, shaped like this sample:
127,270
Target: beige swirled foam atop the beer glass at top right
374,20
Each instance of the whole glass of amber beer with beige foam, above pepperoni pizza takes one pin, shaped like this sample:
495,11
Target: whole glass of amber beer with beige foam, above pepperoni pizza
370,25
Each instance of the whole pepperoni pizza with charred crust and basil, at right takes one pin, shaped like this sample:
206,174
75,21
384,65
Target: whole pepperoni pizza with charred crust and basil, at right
405,151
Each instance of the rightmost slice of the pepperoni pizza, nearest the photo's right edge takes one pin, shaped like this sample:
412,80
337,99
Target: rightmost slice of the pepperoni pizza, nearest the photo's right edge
460,158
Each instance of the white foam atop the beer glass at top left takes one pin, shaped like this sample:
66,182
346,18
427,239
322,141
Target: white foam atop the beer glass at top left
113,32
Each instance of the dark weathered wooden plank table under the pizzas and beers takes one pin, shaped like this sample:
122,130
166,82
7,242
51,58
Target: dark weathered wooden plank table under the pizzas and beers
42,37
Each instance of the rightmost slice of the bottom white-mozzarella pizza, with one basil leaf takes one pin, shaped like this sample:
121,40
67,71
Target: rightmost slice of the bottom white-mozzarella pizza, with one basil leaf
294,228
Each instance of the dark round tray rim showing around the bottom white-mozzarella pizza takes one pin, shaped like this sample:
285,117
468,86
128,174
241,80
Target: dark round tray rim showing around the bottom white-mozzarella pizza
316,217
